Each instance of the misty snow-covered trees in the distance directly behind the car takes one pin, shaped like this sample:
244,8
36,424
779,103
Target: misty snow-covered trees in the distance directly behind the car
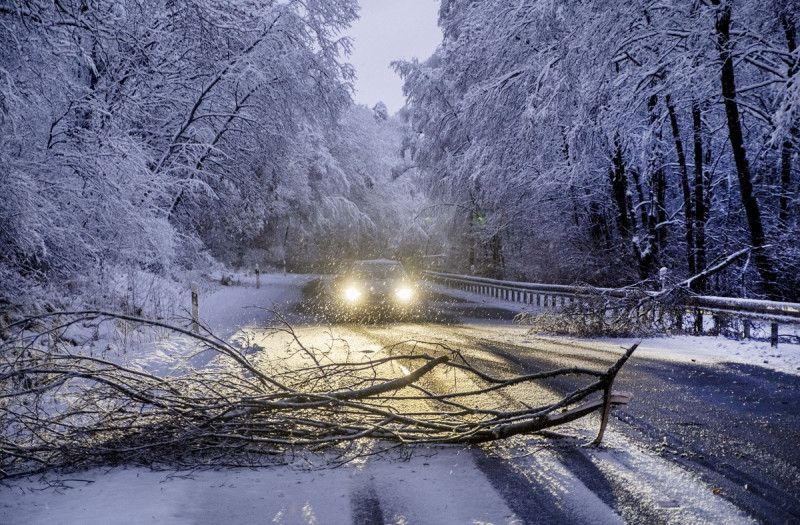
358,197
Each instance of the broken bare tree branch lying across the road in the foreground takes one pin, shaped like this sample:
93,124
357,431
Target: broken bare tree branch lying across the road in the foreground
64,403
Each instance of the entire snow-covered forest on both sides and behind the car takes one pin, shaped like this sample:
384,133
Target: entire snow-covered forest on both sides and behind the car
560,142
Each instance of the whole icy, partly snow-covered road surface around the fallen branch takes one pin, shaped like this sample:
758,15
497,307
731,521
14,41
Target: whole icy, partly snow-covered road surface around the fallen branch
710,436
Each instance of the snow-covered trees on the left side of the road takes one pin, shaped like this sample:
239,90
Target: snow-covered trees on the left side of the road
131,131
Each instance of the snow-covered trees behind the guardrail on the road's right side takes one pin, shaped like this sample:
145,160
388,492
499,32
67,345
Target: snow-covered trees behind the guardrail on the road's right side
598,141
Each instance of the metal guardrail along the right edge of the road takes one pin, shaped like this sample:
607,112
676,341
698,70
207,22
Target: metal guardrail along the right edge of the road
721,309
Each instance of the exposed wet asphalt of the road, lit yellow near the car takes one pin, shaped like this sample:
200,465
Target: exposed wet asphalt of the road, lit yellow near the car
734,428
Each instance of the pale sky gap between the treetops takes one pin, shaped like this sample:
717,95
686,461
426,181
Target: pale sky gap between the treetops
390,30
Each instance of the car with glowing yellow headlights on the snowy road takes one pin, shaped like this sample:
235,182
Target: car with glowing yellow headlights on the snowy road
376,287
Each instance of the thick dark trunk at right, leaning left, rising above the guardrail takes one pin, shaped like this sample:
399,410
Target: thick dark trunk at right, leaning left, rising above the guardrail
752,210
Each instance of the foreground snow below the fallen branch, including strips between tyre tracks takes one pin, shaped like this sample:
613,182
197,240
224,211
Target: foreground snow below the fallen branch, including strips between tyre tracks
435,486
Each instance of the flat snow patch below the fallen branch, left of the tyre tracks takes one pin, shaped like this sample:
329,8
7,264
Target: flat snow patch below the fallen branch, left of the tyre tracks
438,488
